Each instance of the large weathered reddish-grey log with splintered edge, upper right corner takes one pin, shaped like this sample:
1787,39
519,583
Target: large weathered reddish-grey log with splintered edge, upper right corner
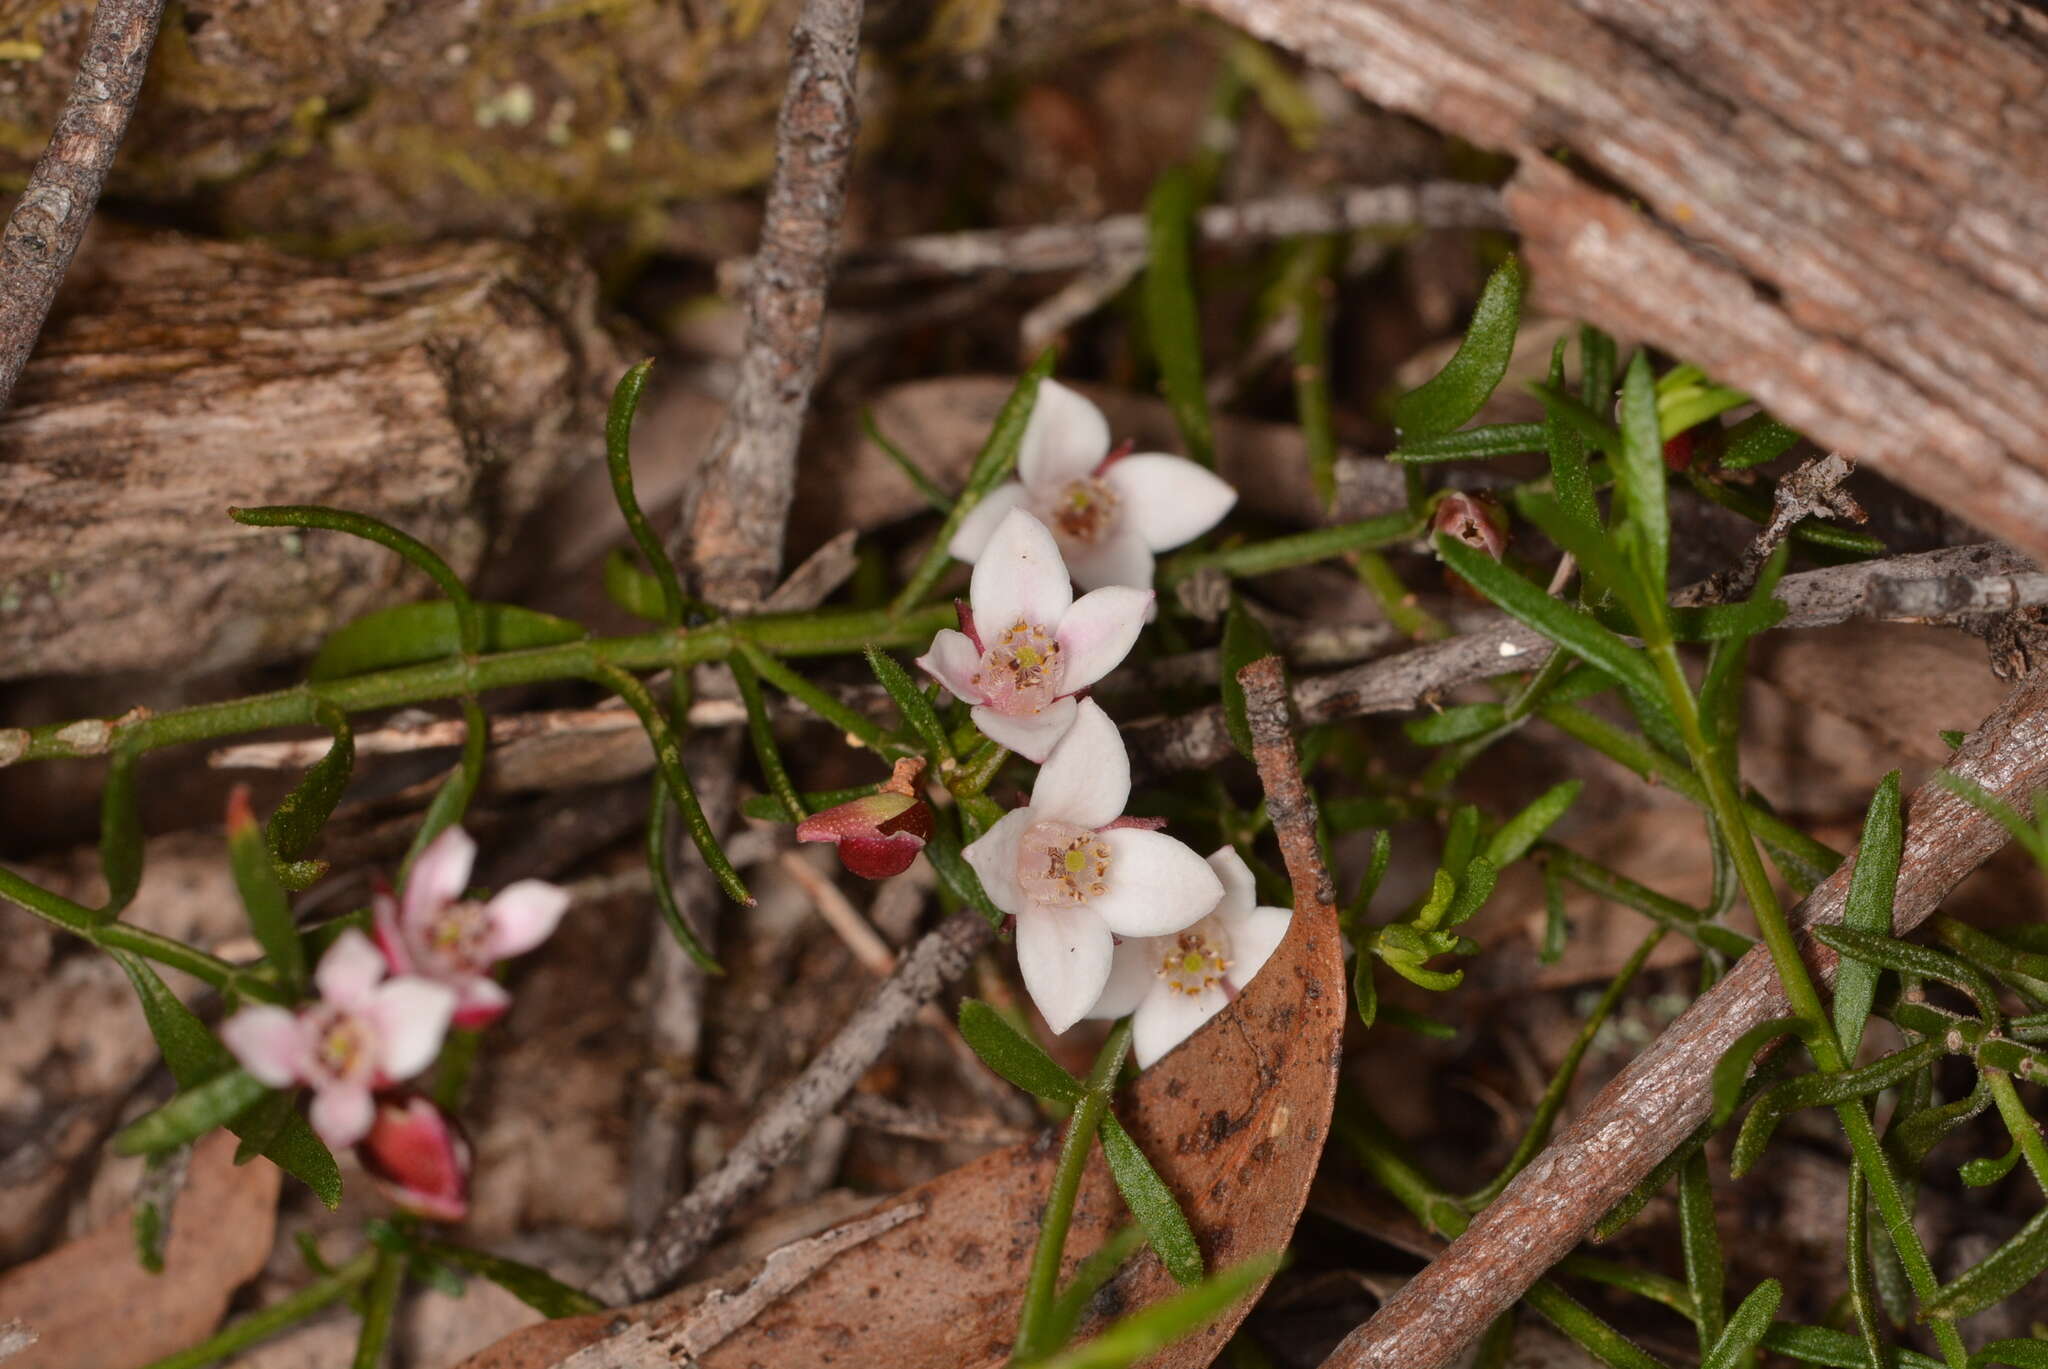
1832,206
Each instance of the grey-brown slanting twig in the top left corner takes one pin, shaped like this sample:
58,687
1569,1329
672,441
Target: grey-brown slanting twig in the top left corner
44,233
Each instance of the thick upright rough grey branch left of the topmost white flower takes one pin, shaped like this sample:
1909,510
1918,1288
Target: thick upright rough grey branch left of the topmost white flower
751,474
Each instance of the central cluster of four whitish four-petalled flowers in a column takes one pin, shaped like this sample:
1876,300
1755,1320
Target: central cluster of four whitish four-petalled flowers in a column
1113,917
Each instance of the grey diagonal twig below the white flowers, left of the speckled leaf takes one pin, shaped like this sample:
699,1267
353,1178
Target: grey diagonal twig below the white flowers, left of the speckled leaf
687,1229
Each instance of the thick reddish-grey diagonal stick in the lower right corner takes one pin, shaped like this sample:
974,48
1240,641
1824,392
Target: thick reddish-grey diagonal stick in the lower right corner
1668,1091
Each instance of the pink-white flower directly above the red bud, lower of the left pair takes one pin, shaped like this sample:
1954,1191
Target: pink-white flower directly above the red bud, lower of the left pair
364,1032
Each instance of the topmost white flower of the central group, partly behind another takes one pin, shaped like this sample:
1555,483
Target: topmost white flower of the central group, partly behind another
1111,513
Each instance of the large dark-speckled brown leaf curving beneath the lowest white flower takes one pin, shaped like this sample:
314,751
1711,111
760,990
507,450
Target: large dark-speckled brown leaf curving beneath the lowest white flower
1234,1122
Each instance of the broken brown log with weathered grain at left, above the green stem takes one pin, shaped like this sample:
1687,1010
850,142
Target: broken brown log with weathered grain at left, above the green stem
439,388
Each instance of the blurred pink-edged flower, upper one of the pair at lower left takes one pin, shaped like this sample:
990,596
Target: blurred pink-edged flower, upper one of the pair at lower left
435,934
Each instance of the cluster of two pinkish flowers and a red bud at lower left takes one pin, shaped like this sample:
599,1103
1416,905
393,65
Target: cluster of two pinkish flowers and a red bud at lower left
382,1013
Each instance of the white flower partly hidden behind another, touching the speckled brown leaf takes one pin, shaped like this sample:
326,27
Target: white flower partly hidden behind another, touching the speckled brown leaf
1172,985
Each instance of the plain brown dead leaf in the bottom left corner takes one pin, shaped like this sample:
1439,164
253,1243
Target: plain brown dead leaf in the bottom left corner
97,1309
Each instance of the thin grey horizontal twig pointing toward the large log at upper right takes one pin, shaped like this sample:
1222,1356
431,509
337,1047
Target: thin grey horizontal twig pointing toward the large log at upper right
1117,243
